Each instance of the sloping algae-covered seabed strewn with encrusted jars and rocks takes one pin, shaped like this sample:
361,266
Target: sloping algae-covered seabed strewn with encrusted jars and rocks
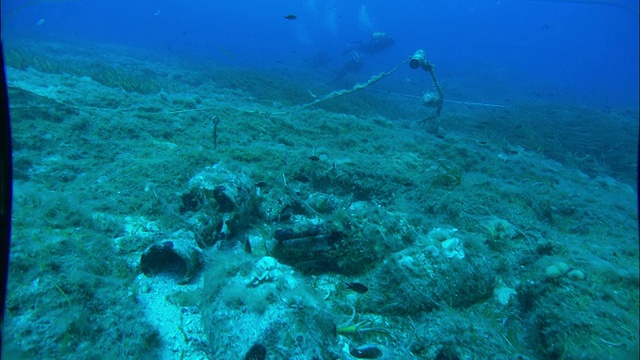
487,233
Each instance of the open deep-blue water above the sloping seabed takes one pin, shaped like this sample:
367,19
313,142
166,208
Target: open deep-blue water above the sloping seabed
582,53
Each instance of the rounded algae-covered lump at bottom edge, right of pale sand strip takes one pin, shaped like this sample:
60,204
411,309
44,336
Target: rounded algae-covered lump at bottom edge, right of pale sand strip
255,305
